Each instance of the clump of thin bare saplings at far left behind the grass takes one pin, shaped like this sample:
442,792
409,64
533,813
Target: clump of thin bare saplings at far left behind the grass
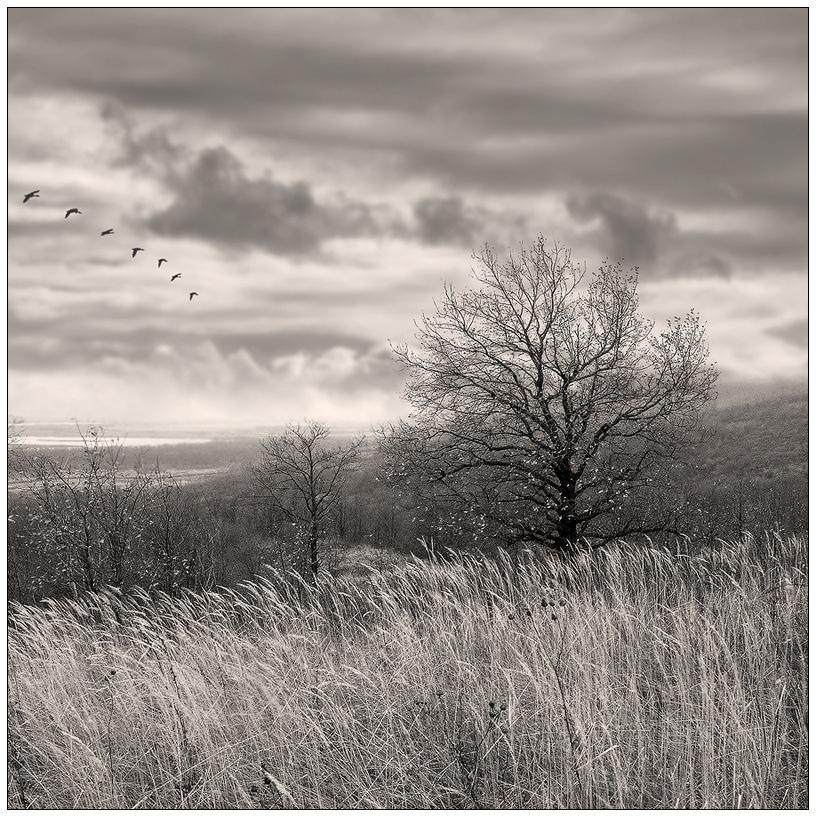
91,520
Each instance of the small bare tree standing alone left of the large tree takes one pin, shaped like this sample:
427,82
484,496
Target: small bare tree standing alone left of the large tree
302,474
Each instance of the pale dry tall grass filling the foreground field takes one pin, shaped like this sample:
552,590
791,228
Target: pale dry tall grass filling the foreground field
659,681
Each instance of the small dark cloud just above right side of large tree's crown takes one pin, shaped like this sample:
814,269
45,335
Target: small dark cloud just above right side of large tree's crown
633,233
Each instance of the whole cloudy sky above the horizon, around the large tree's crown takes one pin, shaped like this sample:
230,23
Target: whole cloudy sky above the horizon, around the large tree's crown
316,175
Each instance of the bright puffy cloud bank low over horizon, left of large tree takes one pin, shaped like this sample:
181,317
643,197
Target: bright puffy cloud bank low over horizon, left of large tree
199,383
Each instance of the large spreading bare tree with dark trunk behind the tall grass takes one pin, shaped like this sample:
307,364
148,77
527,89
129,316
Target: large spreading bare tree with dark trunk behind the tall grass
543,398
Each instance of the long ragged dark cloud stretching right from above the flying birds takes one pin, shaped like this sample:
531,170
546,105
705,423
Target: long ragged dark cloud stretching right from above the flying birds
215,199
